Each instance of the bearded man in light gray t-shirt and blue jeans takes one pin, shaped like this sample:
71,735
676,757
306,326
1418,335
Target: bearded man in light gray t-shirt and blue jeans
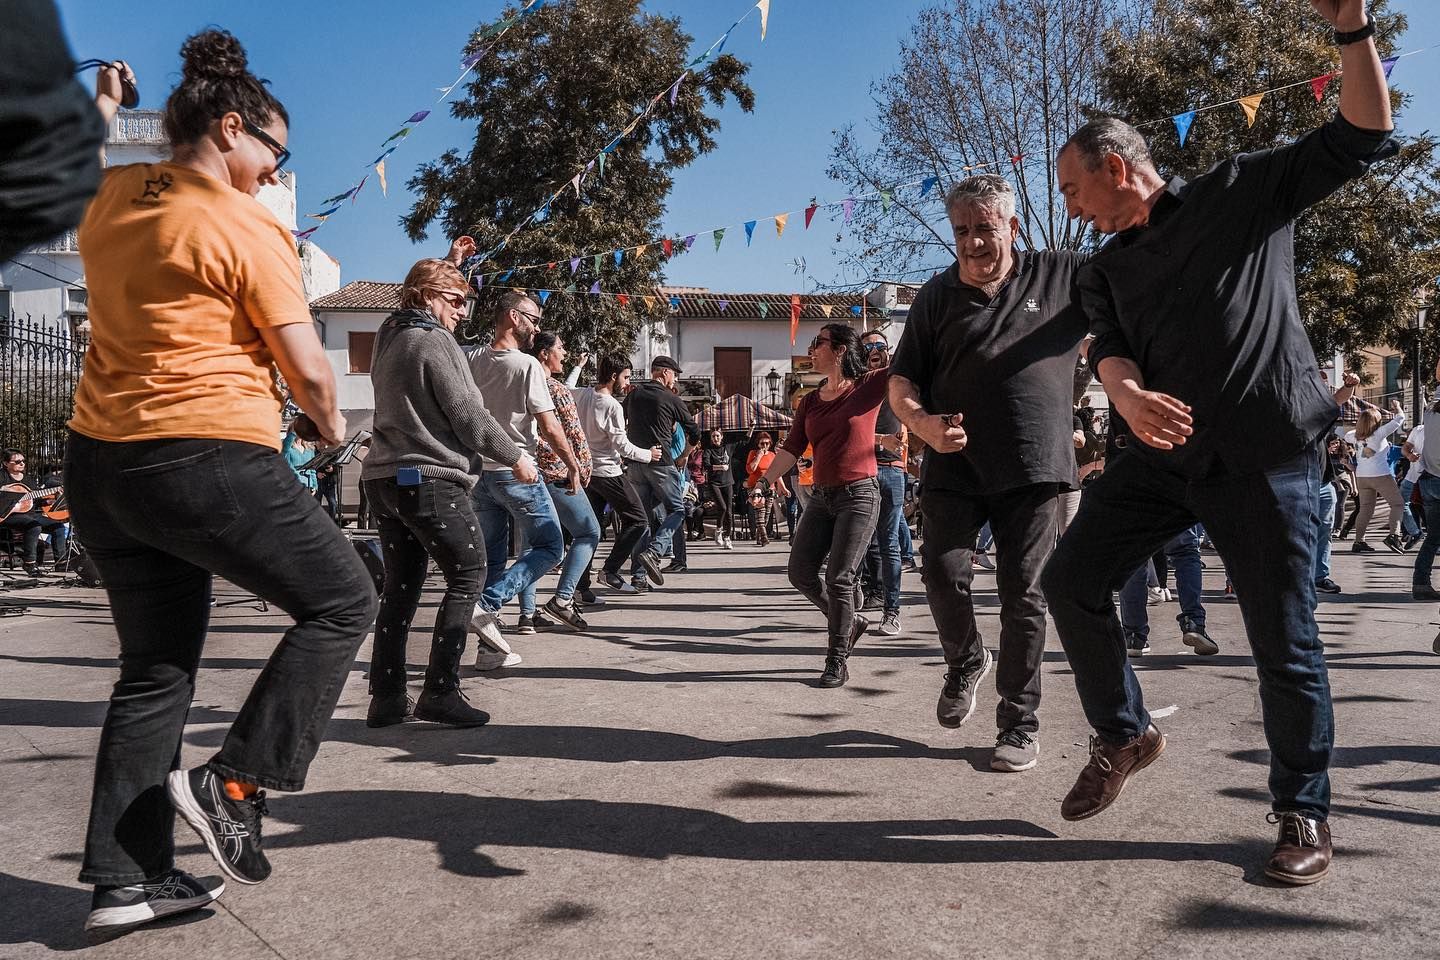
513,385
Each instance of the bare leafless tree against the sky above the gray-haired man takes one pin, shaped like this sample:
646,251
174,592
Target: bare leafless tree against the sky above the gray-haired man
983,84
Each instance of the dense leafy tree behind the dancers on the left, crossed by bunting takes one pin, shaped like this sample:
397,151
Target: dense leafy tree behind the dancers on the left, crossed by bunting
552,93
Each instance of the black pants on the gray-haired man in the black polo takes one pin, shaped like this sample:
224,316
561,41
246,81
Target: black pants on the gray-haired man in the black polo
1025,525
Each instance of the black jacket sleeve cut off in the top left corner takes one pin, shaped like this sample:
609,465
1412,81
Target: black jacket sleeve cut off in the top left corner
50,130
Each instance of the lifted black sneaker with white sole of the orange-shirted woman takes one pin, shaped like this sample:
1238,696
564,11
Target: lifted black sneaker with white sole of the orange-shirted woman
231,830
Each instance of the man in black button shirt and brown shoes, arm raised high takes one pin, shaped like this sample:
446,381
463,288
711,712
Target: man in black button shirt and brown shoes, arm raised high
1200,346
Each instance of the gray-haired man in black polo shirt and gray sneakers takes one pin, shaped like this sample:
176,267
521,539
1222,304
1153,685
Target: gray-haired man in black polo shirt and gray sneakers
991,340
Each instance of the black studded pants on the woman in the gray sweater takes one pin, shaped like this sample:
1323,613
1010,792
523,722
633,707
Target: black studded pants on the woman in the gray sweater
433,519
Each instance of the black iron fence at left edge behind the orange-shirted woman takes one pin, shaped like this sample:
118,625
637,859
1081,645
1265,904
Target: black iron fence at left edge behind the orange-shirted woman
40,366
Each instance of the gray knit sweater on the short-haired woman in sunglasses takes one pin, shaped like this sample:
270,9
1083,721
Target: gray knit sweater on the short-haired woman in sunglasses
428,412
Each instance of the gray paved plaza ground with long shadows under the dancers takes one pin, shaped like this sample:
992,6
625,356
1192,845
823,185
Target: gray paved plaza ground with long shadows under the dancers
675,785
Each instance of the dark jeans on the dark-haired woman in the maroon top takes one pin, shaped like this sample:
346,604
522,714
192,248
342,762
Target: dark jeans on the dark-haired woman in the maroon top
837,523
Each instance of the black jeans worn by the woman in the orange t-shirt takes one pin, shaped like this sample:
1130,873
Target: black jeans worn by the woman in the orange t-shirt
159,519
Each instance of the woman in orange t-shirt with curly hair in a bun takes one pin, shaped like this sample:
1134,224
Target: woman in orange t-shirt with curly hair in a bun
175,474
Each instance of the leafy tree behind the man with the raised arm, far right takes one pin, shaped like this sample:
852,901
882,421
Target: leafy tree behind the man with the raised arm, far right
1362,255
